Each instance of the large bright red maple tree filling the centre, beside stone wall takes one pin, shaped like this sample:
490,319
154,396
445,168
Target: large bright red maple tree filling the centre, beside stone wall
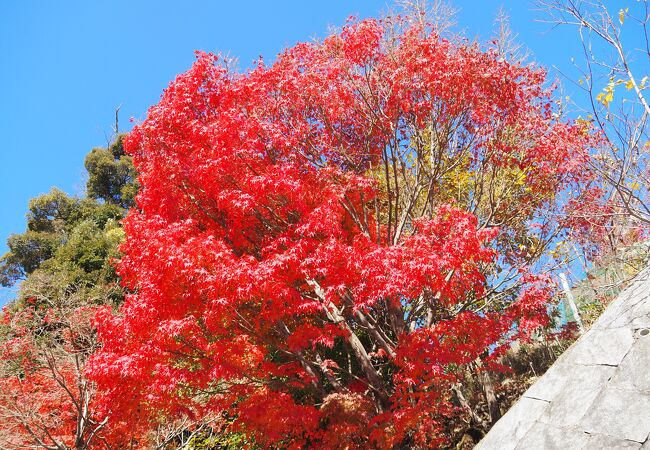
322,246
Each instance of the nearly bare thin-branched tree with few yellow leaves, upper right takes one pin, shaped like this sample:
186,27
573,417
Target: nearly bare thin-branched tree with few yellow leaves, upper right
614,68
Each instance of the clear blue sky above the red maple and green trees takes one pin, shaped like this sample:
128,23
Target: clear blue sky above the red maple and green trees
66,66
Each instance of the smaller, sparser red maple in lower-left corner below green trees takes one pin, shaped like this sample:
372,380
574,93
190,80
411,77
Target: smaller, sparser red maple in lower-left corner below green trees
46,401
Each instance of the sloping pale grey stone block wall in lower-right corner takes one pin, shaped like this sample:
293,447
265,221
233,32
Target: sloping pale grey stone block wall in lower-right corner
597,394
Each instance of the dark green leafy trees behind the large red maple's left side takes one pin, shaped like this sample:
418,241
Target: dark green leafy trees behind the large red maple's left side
70,242
